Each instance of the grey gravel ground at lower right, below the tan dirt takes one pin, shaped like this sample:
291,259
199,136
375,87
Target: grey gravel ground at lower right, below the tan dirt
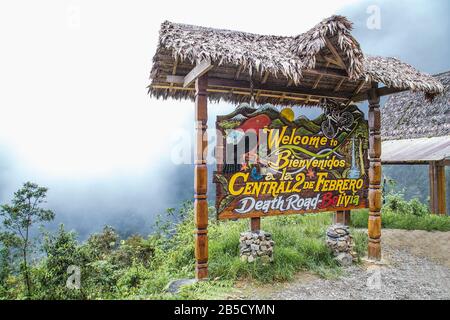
403,277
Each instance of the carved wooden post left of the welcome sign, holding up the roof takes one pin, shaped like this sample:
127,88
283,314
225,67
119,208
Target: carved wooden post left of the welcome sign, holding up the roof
201,179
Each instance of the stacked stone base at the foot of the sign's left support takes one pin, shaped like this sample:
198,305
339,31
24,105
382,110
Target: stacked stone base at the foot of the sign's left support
256,247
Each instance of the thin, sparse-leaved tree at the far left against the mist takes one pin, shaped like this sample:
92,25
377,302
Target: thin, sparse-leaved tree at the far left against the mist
19,217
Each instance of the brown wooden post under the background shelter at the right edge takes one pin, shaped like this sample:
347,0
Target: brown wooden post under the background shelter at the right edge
438,203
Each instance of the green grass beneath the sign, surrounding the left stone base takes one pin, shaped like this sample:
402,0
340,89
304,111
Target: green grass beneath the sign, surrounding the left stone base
299,245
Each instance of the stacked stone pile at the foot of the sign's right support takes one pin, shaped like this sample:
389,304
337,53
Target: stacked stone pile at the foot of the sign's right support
340,242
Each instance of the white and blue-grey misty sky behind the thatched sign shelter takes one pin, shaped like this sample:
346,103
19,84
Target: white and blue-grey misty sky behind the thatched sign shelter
75,114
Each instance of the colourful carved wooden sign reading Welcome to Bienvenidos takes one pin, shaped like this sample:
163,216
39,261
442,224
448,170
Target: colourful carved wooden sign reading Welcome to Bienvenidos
271,163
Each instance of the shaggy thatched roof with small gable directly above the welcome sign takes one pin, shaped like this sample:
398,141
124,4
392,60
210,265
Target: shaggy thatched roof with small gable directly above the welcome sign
325,59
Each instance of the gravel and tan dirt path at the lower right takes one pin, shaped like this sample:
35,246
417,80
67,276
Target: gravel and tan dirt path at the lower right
416,265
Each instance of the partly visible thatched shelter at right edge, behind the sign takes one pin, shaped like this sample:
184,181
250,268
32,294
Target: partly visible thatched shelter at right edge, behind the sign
417,131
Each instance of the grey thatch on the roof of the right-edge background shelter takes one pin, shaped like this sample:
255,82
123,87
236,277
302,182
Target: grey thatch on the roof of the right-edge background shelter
409,115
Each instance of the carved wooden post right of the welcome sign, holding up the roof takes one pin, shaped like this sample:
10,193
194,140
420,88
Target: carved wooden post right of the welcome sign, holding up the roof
375,193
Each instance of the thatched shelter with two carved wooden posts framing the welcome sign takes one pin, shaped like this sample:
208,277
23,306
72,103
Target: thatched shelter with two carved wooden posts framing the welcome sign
206,64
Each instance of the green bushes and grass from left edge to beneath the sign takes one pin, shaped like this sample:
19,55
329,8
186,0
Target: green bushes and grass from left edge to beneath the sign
141,268
